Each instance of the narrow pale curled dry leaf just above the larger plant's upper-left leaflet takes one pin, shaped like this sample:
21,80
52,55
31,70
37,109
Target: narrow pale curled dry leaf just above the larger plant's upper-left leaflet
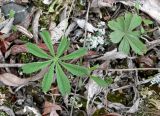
24,31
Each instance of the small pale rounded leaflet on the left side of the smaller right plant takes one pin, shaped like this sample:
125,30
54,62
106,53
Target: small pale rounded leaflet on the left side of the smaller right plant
116,36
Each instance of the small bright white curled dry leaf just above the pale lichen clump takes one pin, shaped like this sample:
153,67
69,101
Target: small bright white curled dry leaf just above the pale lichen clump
89,27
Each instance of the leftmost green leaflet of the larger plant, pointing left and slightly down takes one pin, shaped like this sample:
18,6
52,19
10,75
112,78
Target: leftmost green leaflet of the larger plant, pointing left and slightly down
35,66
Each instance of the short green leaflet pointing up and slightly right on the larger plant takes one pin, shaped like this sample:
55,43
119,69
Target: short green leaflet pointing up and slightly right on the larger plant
64,44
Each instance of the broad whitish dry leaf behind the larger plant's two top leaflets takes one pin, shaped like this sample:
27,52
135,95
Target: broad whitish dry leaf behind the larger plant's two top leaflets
58,31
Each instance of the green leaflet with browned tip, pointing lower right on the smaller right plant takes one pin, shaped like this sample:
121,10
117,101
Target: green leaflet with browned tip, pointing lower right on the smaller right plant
137,45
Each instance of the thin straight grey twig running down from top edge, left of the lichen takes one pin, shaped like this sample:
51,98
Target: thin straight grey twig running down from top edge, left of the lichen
85,34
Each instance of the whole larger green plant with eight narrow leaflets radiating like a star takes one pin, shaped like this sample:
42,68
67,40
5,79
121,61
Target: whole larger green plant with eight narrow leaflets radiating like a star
56,63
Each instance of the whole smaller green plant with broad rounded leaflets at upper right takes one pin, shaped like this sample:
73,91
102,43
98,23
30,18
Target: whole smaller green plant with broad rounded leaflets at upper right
124,33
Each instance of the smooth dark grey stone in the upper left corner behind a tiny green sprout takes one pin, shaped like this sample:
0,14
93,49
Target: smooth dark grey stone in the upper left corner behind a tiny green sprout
20,12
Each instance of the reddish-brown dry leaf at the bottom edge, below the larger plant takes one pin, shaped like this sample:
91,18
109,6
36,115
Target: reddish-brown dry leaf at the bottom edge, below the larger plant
51,108
